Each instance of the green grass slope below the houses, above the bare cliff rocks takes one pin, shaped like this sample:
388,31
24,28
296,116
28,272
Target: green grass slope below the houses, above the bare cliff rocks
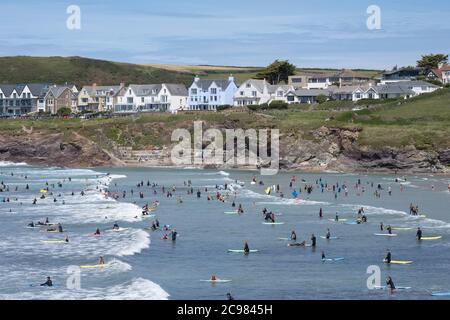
423,122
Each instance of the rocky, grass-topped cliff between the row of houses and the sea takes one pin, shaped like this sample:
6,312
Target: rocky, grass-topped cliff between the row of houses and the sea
408,136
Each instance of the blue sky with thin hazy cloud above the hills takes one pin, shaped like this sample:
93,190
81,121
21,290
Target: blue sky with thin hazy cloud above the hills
320,33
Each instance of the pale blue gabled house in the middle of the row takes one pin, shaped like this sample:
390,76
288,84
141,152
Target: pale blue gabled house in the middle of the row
209,94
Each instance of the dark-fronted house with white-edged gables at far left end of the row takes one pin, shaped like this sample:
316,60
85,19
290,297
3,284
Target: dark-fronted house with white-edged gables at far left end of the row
21,99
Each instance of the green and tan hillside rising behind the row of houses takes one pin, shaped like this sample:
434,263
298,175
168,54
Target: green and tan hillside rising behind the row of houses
82,71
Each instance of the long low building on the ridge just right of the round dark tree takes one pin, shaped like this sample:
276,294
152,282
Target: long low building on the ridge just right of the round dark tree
325,79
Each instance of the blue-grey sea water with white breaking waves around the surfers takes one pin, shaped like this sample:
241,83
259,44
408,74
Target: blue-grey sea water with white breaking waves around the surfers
145,267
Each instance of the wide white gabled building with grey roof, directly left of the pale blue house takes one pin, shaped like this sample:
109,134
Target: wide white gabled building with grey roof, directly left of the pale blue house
151,98
